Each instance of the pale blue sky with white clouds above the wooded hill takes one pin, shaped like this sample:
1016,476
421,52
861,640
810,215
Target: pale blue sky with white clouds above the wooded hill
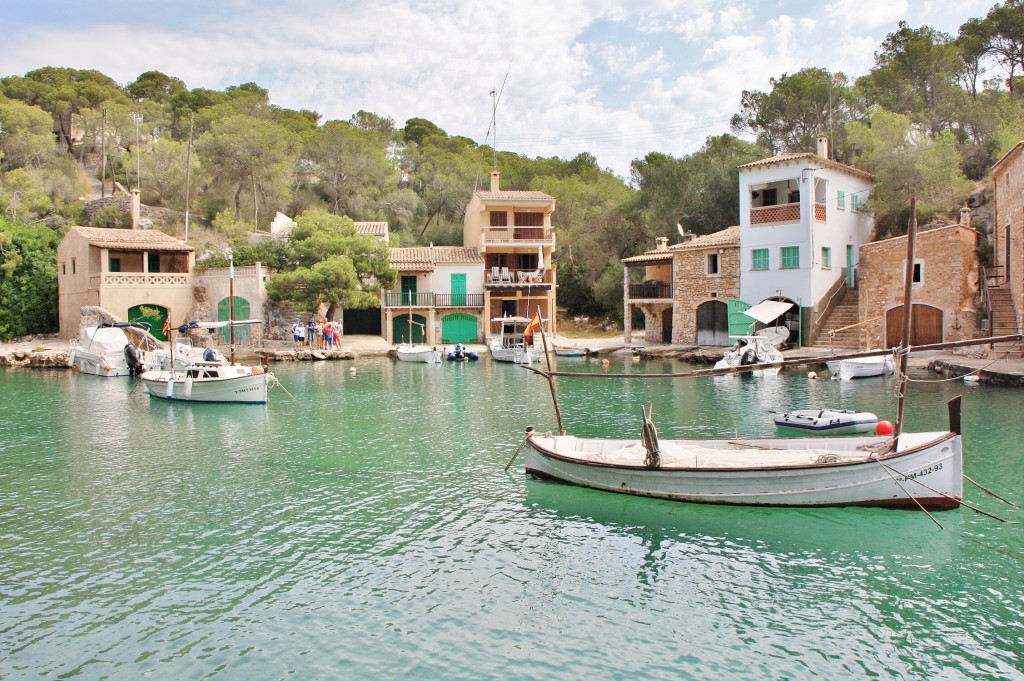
615,78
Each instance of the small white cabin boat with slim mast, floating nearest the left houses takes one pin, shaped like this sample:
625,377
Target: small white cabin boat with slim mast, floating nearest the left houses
210,382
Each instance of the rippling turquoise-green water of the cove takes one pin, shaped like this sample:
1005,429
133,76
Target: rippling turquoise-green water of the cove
367,530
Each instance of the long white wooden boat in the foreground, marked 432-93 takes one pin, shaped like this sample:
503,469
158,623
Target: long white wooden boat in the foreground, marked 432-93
923,469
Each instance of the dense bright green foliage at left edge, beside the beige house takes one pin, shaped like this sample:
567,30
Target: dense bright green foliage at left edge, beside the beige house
28,280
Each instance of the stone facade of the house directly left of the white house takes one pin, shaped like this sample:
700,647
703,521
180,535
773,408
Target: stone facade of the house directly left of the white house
693,286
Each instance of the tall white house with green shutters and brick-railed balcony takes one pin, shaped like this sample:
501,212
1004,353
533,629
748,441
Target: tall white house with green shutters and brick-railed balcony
801,228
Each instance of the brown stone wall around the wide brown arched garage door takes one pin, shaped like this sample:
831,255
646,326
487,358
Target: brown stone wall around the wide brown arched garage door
950,280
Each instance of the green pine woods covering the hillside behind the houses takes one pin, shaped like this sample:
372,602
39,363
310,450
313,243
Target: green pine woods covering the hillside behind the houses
928,120
